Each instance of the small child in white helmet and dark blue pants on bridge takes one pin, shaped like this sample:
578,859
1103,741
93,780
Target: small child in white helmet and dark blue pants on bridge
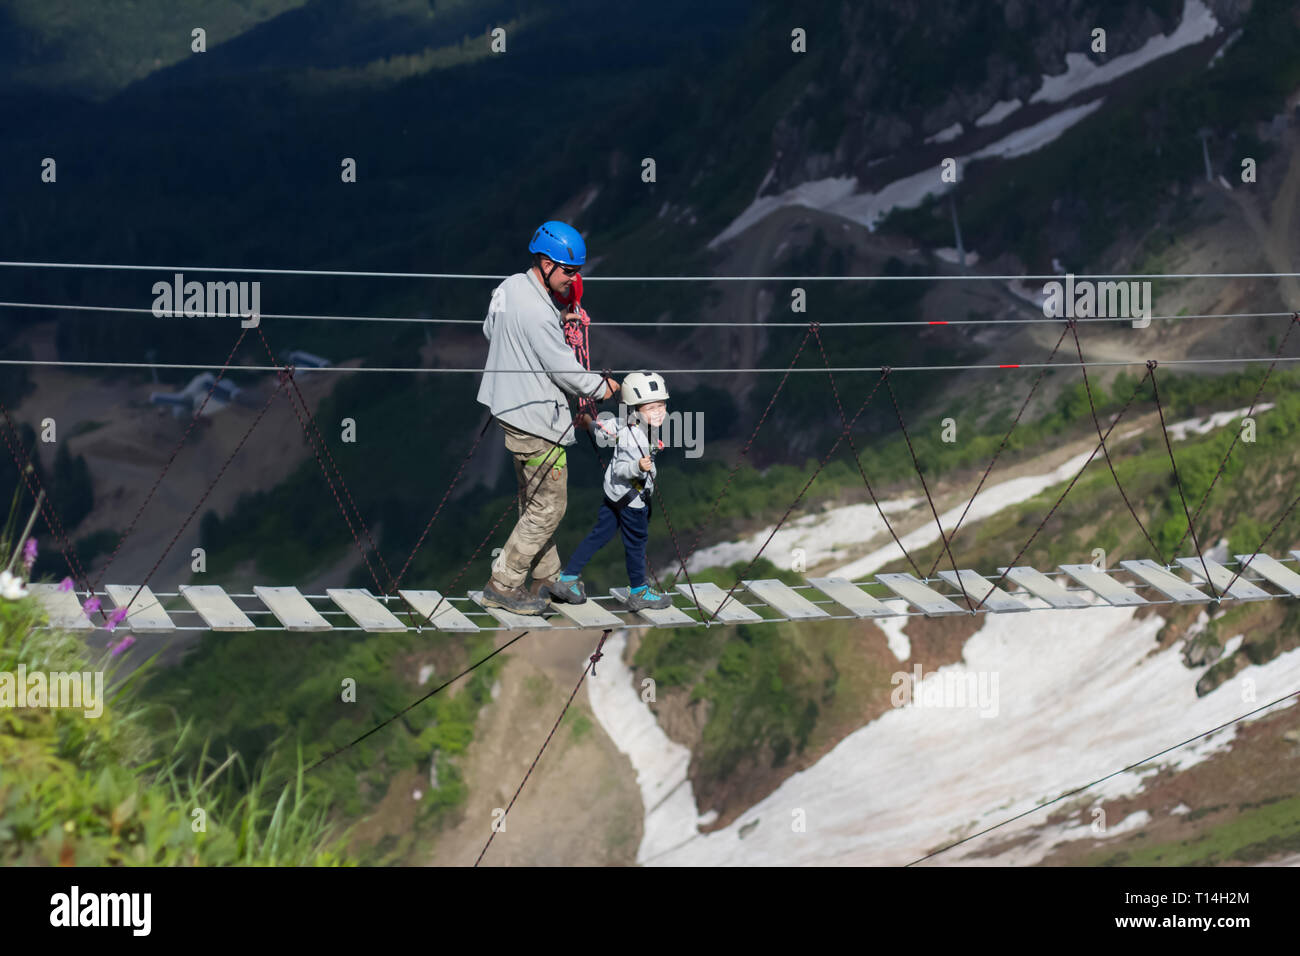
629,486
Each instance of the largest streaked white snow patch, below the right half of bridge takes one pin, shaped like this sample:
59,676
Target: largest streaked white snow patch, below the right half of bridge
1080,698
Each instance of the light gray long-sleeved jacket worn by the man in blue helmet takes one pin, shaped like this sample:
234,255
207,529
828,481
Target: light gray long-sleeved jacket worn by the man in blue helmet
523,327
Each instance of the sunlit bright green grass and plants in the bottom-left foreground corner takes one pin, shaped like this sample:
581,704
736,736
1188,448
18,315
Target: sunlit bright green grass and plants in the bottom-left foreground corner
129,789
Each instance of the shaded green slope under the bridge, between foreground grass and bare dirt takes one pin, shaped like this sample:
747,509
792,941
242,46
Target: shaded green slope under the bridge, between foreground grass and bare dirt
298,682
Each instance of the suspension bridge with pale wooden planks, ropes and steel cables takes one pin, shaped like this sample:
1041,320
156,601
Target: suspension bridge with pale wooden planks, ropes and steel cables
1185,578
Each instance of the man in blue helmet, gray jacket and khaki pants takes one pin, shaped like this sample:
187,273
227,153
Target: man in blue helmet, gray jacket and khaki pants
528,365
